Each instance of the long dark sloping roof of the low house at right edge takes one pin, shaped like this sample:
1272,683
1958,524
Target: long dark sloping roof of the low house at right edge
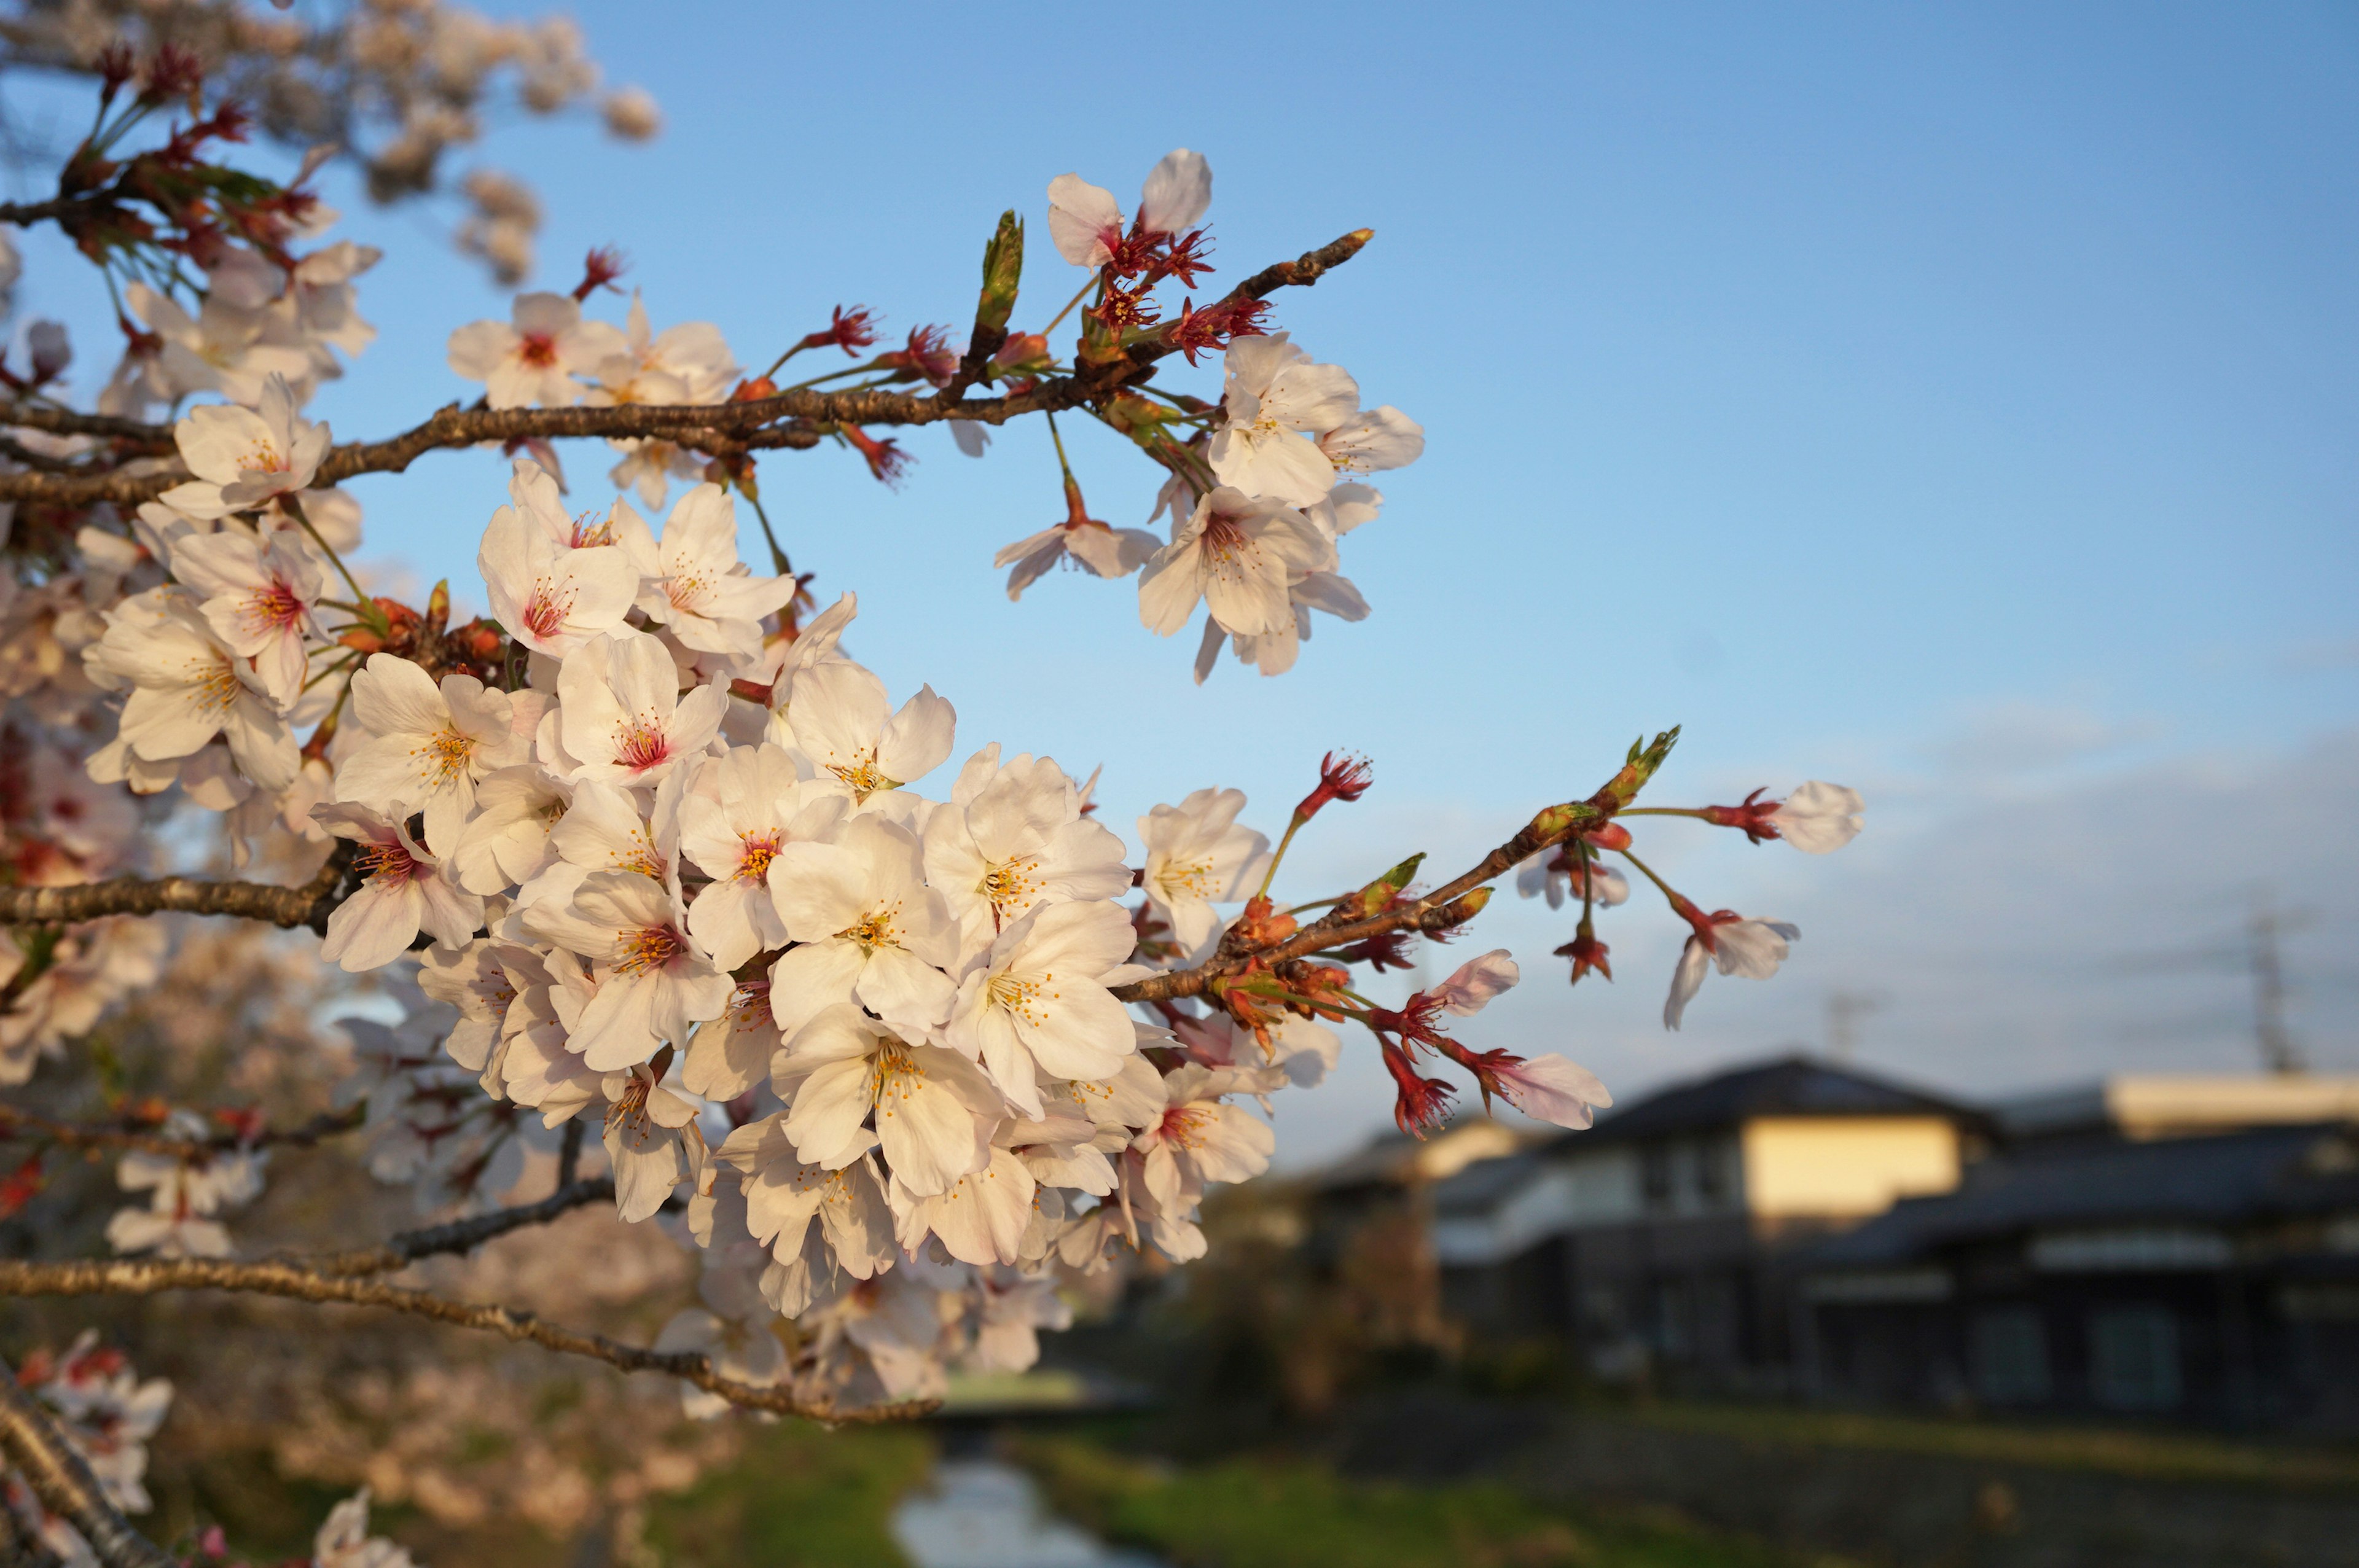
2209,1182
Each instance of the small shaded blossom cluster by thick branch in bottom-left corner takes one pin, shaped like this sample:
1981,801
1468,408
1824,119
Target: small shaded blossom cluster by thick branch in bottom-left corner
107,1416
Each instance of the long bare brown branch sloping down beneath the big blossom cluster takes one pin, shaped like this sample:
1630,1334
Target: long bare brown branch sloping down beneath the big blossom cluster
296,1284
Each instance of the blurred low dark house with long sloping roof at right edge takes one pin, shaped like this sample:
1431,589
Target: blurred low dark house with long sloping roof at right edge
2195,1274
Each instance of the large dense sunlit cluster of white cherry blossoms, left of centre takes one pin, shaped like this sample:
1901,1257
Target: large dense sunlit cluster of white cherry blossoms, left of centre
678,881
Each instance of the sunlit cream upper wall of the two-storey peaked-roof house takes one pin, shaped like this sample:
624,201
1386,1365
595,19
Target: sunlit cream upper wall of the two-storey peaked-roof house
1844,1168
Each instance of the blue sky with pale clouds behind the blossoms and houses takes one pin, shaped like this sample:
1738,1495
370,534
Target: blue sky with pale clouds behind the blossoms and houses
1954,402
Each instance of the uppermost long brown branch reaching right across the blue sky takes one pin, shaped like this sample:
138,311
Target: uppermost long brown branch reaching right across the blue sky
742,423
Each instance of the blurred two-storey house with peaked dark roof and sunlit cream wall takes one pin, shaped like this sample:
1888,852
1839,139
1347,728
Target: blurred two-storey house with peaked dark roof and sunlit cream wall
1660,1241
